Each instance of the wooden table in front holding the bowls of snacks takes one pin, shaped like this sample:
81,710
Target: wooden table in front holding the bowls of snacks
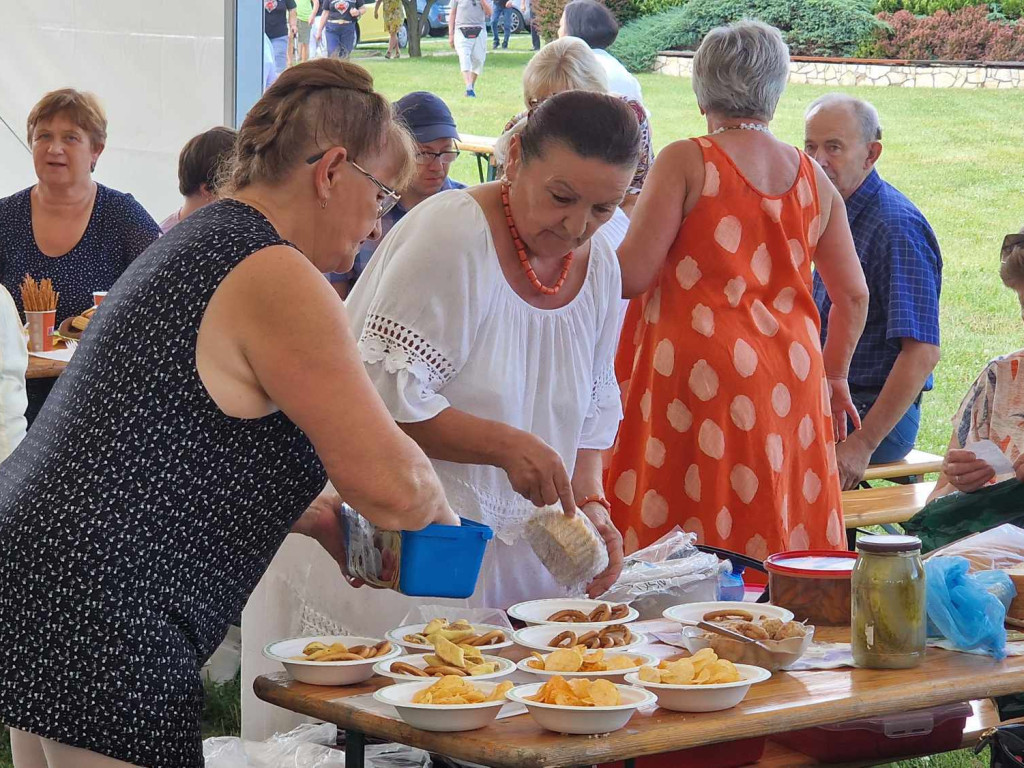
788,702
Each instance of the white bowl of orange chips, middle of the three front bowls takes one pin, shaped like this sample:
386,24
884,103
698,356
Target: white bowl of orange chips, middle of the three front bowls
581,706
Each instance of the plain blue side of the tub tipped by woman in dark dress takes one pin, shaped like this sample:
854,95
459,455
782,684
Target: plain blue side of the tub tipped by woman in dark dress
443,561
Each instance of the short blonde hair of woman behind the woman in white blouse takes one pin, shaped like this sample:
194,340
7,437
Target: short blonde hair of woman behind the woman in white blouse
565,65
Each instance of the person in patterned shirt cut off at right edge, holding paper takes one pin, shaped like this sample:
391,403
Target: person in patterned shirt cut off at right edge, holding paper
992,408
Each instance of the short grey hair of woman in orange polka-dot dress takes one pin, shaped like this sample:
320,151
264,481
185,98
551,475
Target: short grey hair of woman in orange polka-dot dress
741,71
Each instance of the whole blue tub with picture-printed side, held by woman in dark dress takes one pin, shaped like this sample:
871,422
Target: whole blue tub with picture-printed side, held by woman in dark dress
438,562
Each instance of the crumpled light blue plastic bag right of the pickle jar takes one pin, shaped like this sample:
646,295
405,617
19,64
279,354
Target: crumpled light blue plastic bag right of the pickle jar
963,609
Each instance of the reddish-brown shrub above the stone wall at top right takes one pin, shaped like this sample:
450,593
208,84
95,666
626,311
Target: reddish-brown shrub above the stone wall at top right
965,35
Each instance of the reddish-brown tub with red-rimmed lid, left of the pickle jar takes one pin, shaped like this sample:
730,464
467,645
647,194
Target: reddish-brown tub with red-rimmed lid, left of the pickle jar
814,584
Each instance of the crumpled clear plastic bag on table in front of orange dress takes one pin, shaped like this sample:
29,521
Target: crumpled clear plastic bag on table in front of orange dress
670,572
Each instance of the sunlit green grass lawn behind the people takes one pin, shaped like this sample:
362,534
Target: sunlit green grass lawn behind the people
957,154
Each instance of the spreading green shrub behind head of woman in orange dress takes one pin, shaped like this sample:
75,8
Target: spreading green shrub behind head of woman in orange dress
814,28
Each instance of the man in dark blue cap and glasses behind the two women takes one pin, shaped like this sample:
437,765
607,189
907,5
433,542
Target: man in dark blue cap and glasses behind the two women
433,126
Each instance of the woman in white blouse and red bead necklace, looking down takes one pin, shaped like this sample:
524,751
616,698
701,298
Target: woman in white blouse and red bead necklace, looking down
488,321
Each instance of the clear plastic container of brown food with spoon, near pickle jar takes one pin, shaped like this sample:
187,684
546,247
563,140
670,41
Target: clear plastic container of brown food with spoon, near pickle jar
782,644
